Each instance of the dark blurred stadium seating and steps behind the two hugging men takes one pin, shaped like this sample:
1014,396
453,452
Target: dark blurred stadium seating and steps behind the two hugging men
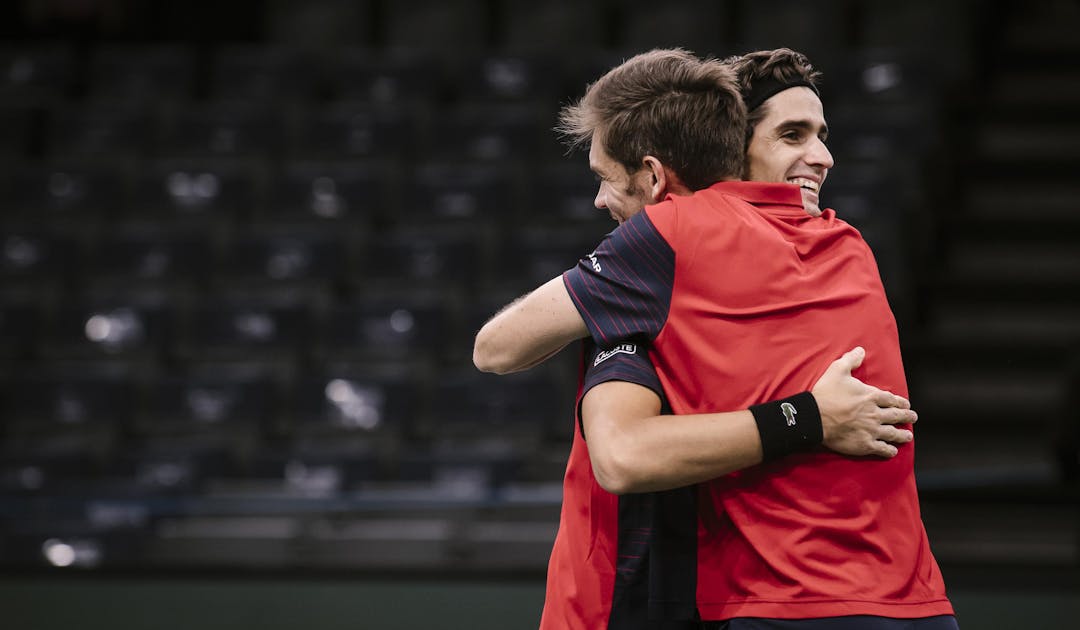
245,248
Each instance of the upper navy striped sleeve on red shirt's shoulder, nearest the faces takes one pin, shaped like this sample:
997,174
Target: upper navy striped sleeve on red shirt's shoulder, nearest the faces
624,290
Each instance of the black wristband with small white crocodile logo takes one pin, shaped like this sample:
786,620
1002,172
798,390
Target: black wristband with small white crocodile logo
790,425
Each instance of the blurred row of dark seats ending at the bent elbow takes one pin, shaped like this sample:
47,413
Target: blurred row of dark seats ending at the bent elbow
154,328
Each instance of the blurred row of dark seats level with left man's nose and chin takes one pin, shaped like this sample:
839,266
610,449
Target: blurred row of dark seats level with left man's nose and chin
366,193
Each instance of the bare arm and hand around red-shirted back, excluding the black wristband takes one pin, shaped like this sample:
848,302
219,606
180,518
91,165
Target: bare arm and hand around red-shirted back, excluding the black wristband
633,449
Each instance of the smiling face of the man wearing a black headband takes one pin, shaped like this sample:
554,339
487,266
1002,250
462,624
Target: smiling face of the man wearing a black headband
789,145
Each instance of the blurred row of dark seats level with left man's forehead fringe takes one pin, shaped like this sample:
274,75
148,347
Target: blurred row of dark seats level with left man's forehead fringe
272,130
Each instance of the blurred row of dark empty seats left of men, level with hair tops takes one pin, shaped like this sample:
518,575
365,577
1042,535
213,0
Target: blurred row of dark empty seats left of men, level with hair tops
131,75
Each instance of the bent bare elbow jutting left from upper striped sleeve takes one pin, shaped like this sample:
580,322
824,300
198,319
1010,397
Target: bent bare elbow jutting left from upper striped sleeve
530,330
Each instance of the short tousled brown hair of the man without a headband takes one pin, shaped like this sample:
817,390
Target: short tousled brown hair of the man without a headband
670,104
